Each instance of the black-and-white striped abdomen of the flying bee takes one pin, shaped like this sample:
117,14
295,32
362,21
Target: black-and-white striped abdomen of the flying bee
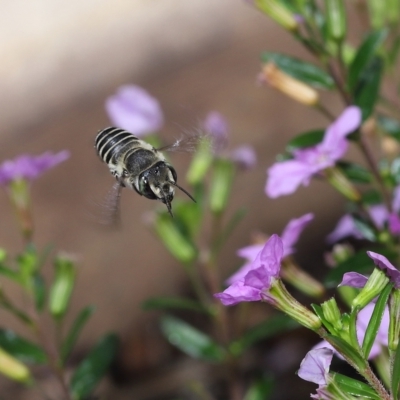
112,142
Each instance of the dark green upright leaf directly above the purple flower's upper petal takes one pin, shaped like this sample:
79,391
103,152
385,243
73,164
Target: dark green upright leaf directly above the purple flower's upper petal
367,89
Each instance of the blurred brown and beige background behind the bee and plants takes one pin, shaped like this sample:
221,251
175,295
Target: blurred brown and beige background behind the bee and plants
60,60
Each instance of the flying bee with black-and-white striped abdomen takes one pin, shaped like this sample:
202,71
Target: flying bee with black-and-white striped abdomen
137,165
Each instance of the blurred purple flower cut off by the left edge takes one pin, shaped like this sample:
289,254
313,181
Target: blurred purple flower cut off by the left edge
29,167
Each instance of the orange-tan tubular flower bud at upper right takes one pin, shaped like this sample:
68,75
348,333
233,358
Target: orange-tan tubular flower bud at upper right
293,88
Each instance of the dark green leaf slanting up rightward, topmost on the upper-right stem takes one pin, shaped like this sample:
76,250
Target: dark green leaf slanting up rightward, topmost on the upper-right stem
364,56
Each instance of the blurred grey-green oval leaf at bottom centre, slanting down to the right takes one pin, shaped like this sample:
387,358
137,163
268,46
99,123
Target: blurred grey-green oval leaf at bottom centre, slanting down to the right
190,340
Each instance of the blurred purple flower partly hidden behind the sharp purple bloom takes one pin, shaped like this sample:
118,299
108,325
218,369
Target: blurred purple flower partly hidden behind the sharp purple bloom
290,236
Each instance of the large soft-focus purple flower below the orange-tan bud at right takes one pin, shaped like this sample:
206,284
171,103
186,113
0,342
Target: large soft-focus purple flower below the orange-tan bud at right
285,177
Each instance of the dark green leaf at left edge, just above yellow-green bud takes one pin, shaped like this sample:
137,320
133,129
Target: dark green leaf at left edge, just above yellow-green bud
21,348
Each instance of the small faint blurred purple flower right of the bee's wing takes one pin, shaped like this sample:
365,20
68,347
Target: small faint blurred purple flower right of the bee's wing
216,125
